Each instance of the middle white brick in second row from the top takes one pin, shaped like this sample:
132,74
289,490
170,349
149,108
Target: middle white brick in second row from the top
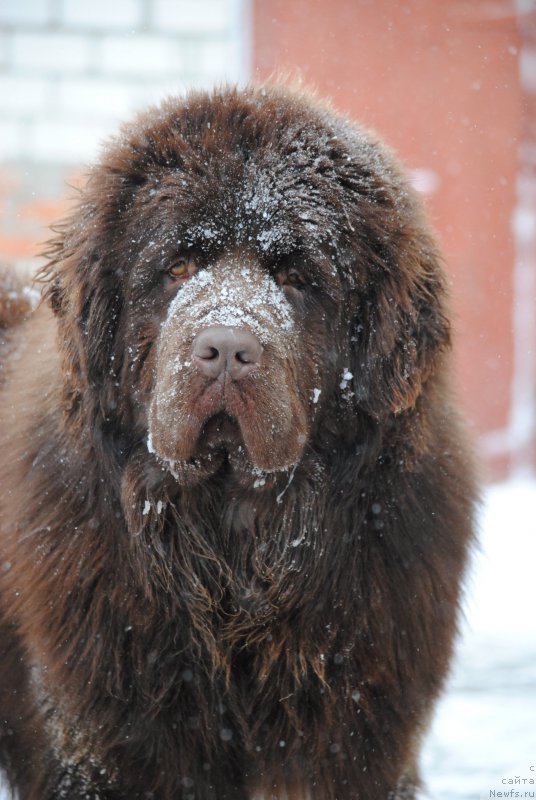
143,56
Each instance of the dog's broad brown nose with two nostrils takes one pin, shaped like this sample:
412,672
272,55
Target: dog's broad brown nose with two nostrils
219,349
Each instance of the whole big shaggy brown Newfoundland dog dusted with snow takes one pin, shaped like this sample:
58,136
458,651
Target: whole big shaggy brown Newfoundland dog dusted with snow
236,502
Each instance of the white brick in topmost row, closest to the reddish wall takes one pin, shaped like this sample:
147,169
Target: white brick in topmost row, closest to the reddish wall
193,16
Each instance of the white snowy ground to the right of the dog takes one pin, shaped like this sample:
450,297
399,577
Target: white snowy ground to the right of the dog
484,732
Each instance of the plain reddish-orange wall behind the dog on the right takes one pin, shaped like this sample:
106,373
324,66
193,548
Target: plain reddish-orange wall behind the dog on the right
439,81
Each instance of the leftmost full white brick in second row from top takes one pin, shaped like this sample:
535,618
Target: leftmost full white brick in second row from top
51,53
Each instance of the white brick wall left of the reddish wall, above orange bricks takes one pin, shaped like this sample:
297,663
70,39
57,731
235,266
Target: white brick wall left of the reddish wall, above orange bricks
70,70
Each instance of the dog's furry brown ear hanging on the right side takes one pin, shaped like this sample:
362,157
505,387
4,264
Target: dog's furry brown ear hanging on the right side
400,328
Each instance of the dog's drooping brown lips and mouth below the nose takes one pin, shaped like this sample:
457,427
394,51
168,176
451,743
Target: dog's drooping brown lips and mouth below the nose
258,423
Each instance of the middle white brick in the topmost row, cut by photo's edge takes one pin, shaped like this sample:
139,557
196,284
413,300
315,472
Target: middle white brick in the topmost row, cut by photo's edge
102,14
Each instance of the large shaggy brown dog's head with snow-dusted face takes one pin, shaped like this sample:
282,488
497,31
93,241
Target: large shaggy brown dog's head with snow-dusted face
246,274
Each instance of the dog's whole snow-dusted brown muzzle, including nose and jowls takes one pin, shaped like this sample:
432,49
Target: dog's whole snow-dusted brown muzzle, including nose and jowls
230,376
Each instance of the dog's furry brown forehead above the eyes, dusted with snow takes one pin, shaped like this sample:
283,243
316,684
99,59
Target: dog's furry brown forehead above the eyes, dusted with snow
255,180
